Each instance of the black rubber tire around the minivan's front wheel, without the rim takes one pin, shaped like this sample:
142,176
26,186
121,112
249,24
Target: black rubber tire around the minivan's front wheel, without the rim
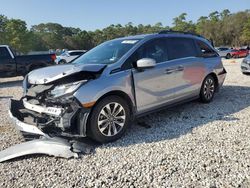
93,129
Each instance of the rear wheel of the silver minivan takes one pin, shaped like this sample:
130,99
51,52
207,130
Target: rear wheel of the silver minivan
208,89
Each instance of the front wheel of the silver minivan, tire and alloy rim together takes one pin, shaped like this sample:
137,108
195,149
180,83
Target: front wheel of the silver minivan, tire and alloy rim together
99,114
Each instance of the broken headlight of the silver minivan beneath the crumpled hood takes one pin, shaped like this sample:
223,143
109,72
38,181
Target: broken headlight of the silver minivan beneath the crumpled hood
61,90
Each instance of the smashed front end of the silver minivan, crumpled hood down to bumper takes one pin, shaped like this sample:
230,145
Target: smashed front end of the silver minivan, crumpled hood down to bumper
49,107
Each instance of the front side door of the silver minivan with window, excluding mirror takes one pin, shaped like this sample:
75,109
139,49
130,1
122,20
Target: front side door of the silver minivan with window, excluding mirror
154,86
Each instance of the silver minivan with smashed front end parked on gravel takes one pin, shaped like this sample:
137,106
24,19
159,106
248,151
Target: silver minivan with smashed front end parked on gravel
100,93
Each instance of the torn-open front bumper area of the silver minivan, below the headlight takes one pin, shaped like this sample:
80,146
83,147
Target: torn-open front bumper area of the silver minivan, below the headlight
62,118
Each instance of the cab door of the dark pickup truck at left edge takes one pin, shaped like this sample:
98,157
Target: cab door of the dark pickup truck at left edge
7,63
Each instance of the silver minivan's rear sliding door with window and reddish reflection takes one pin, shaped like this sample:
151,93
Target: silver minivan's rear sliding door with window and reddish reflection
188,70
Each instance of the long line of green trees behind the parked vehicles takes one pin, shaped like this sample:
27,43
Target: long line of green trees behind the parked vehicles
223,28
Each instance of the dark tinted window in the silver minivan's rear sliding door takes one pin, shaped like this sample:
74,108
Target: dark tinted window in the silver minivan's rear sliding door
181,48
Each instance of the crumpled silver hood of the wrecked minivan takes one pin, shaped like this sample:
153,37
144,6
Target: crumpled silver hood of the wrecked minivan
53,73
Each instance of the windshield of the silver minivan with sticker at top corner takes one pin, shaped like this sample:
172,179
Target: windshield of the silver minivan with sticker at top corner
107,53
